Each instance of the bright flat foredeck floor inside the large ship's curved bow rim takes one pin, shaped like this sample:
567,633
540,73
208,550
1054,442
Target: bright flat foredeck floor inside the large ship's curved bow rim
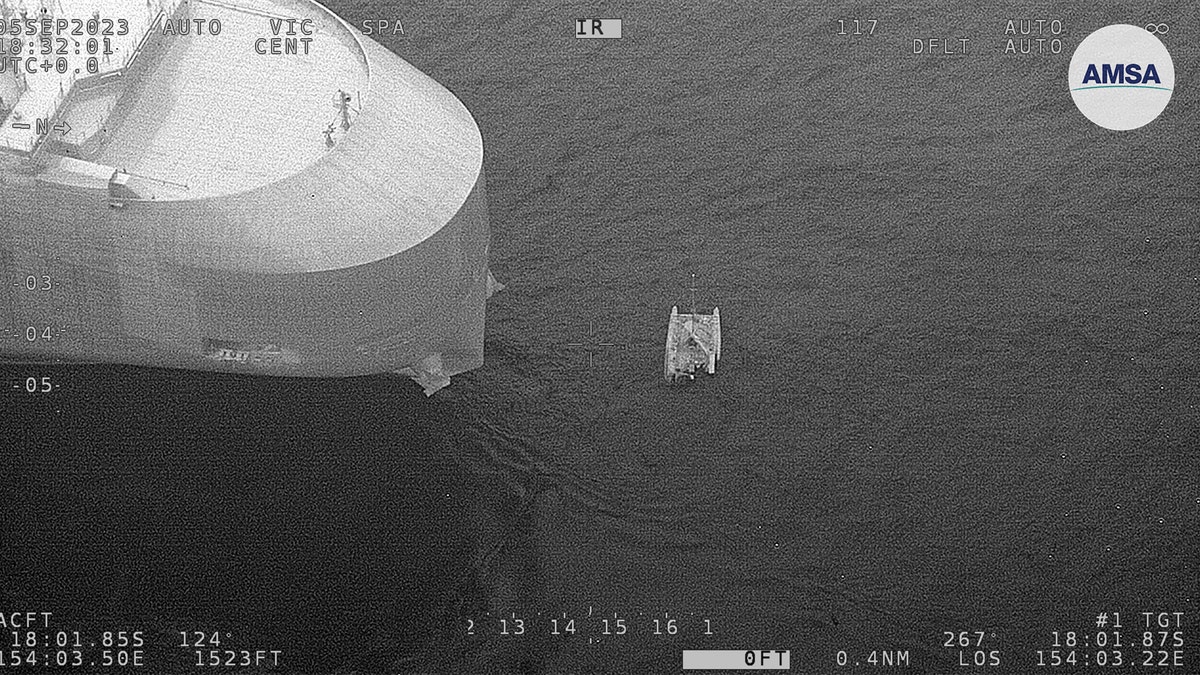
208,123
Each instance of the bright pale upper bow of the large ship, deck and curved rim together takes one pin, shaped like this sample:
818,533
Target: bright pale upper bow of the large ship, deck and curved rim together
226,164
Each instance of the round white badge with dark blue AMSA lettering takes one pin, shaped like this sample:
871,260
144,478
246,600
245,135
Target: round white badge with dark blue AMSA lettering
1121,77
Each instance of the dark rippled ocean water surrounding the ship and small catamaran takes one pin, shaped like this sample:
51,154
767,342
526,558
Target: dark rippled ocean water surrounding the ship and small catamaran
958,390
